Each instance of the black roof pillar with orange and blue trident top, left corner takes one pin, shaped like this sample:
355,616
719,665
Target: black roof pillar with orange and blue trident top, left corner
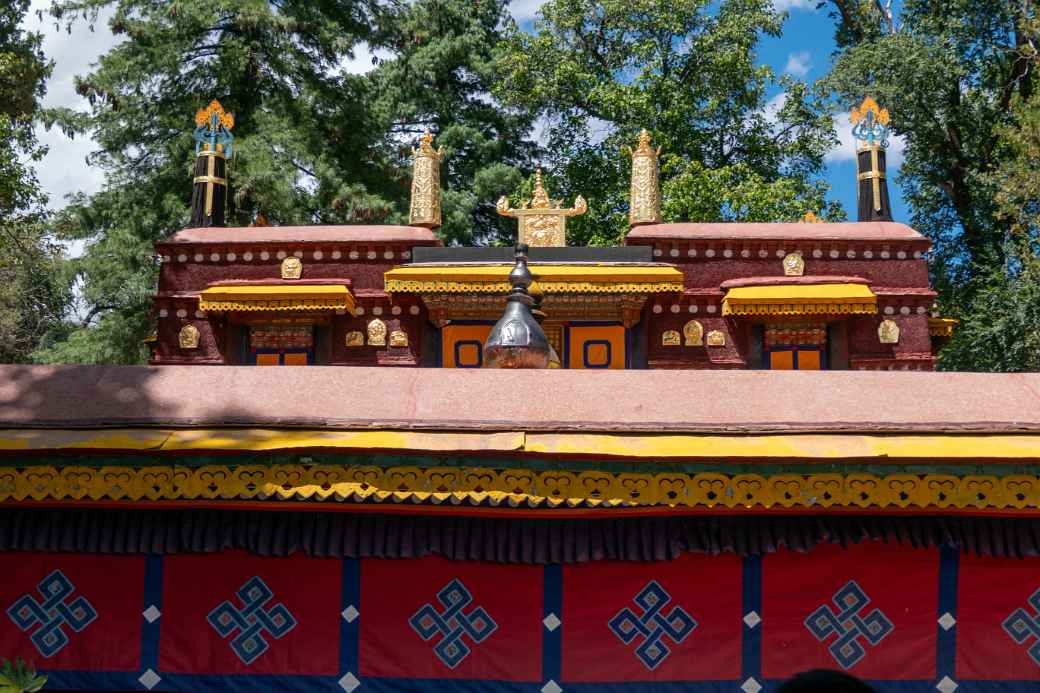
214,146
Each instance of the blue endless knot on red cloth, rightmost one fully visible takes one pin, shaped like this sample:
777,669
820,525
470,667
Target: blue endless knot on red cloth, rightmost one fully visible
849,625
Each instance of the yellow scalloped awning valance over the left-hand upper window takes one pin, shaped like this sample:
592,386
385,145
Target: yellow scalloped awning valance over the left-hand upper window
278,297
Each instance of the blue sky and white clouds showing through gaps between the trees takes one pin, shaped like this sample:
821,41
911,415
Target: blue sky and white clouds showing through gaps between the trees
803,50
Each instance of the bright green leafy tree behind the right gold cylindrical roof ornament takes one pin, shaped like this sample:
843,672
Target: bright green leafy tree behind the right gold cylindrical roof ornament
599,71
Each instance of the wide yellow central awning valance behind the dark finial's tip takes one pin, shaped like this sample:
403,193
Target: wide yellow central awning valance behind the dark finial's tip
549,279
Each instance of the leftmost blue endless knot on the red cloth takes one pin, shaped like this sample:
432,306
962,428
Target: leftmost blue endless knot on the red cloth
53,613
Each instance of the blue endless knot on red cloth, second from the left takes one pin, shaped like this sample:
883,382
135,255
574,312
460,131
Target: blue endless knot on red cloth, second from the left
253,621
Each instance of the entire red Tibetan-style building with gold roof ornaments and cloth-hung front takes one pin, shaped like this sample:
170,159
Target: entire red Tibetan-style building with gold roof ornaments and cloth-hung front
544,470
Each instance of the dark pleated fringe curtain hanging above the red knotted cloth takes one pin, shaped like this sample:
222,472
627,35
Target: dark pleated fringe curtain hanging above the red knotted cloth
502,541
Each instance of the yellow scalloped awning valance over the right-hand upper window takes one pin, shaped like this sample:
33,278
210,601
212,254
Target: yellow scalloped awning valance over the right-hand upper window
800,300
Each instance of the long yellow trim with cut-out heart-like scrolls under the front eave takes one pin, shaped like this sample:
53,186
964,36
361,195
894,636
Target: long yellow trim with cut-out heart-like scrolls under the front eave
522,487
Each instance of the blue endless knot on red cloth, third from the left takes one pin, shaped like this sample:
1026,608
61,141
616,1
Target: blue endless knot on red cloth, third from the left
453,625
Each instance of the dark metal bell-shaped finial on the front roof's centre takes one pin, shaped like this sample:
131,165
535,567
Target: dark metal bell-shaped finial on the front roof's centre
517,340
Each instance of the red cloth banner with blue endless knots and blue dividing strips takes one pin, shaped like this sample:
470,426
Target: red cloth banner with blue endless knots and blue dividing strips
905,620
